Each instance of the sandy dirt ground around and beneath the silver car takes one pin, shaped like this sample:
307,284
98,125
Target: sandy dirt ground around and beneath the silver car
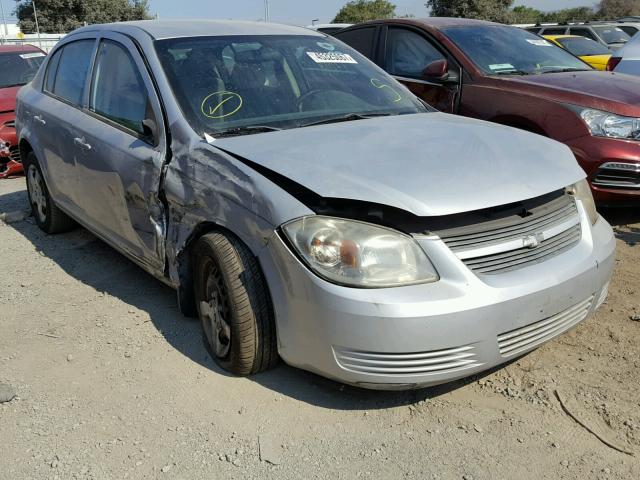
112,382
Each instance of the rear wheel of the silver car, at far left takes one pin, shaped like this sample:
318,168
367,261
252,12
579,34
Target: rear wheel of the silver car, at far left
48,216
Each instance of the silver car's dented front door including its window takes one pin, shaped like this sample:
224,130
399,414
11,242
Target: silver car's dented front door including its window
120,151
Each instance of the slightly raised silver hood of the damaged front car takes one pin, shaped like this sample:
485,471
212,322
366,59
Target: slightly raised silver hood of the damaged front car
427,164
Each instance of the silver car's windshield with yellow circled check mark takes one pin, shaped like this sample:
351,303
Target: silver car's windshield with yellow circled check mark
247,84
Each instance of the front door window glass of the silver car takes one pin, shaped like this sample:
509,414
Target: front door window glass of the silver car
118,92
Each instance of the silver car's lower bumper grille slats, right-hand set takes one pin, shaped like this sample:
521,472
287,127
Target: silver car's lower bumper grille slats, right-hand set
522,339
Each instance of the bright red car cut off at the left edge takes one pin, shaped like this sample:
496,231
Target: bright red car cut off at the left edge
18,65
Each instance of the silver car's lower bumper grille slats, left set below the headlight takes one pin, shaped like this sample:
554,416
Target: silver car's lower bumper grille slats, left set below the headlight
438,361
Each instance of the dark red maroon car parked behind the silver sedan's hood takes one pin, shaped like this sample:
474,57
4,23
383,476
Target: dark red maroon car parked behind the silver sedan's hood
507,75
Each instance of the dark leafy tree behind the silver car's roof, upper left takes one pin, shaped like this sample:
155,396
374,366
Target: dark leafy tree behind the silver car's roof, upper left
62,16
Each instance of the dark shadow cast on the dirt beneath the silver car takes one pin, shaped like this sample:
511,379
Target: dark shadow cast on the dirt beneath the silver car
89,260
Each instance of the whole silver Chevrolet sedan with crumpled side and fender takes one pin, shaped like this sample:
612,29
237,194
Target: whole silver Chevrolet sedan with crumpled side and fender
306,206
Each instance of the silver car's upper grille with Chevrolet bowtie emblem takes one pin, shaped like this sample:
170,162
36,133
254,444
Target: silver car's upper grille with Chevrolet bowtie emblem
519,240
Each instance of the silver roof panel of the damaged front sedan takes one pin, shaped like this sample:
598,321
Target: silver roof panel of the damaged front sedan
163,29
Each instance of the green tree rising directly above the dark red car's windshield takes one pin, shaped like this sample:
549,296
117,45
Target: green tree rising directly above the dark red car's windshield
493,10
